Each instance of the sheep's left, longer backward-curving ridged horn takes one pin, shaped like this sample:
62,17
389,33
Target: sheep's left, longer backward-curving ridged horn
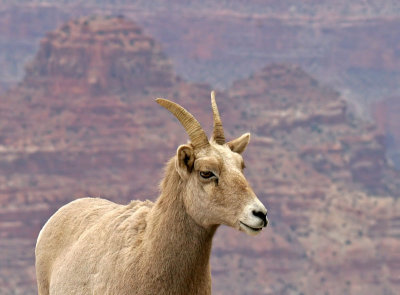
196,134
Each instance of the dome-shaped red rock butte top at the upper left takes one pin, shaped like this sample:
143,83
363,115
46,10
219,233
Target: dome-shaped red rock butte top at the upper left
99,56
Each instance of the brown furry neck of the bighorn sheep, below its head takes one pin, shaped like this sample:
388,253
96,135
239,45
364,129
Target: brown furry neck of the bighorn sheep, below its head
178,247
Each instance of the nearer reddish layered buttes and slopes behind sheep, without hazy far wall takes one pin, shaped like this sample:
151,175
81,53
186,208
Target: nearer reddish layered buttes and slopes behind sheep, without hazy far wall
84,122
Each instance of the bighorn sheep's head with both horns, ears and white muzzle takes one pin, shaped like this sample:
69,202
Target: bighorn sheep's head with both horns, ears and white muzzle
217,191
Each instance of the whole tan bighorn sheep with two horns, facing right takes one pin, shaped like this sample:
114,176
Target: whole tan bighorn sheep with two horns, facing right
94,246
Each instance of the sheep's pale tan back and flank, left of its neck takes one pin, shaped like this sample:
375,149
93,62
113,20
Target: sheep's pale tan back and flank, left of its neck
85,237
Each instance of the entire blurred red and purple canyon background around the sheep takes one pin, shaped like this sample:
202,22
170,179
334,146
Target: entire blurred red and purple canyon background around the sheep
316,82
